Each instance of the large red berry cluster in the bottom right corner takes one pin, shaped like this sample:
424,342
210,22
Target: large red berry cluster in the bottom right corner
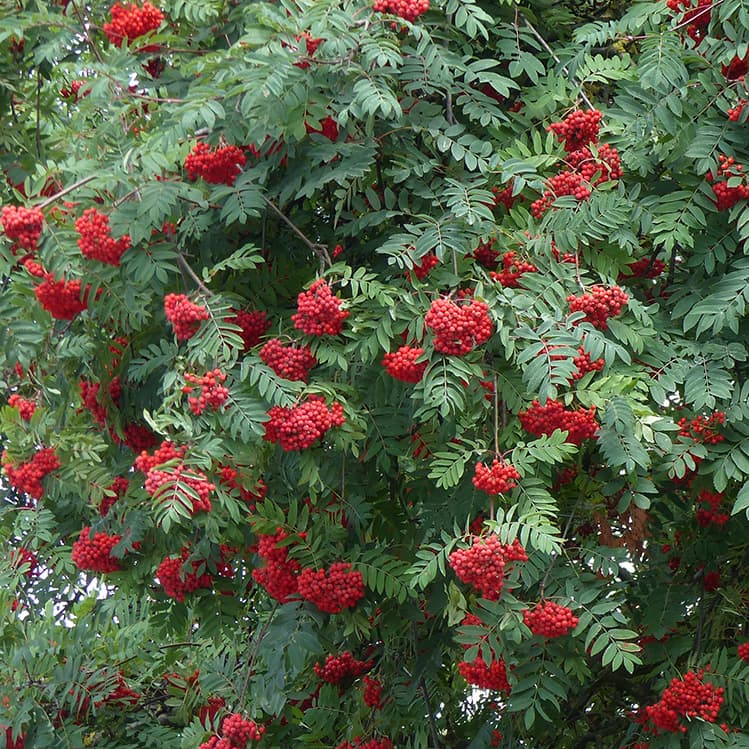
689,697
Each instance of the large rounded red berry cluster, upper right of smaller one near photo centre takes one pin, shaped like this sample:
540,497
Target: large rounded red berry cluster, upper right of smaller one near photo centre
458,329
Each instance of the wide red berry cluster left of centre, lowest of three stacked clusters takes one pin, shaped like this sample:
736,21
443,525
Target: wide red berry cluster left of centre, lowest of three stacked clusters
299,427
